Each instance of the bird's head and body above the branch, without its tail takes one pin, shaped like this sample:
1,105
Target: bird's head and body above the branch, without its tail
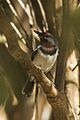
45,55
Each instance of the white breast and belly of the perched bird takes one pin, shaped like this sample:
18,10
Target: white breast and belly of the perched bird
45,62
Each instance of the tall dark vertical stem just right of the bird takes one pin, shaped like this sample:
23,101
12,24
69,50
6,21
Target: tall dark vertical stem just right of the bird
65,43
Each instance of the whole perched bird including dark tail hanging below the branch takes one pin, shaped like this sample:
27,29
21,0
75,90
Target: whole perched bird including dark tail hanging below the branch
43,57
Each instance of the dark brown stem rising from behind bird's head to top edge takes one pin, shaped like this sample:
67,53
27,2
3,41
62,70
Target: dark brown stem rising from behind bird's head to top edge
49,9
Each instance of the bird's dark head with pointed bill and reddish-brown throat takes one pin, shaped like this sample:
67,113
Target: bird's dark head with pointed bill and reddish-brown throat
48,42
